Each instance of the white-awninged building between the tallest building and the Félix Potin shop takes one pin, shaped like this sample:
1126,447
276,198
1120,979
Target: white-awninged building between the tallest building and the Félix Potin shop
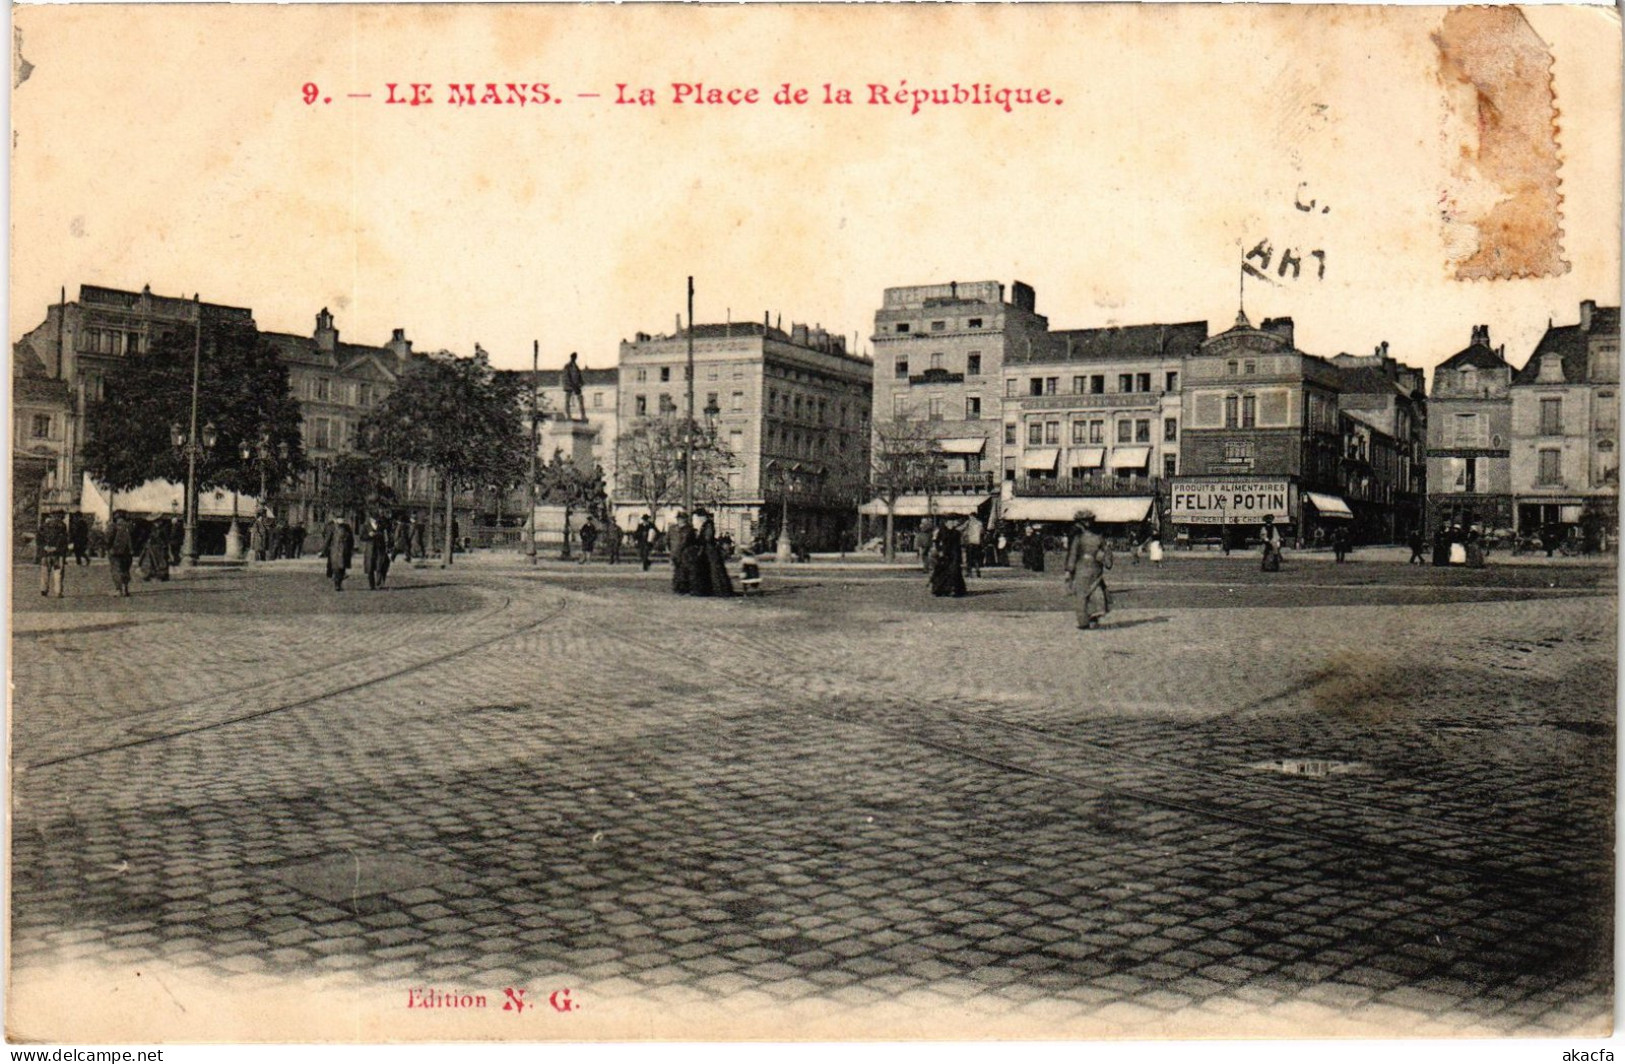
1093,418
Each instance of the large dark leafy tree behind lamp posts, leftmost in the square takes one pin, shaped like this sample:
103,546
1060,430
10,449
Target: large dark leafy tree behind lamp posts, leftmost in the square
243,392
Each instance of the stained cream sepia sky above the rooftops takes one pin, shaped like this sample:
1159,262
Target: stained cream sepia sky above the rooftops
171,147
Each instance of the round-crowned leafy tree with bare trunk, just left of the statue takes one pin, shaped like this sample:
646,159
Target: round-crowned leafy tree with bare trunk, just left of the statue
459,418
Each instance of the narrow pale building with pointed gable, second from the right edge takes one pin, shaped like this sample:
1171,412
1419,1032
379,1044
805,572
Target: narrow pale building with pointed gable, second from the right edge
1470,438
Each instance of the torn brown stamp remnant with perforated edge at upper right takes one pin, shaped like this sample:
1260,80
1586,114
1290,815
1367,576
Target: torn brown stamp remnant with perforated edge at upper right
1502,212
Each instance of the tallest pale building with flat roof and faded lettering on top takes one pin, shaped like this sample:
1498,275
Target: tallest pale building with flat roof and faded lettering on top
940,353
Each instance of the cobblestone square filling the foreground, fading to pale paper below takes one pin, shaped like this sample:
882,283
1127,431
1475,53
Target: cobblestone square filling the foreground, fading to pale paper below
1343,798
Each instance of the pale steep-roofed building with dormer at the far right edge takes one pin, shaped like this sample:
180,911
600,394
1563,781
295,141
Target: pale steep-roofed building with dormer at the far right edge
1566,428
